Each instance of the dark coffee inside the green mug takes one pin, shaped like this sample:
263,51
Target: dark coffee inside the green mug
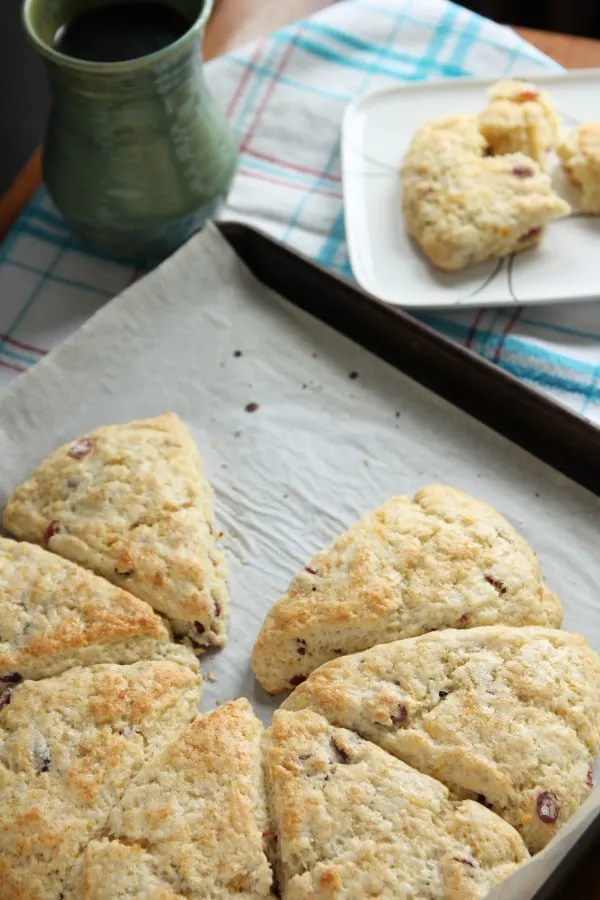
120,31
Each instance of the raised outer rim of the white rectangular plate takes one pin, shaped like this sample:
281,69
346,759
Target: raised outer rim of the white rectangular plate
440,84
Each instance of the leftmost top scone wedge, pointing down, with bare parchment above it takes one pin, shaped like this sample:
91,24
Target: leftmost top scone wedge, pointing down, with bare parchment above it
131,503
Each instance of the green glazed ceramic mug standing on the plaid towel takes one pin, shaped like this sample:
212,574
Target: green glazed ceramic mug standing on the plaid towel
137,155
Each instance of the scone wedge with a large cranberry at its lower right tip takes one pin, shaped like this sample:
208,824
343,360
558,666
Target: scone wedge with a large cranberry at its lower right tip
510,716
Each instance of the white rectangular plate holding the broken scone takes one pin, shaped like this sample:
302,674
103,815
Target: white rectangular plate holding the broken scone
376,132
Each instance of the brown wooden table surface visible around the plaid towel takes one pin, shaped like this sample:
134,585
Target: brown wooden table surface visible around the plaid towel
235,22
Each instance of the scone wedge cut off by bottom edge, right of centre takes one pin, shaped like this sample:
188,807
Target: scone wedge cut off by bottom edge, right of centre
354,822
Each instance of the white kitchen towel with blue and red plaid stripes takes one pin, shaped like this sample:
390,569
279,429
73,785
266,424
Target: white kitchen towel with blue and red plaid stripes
285,95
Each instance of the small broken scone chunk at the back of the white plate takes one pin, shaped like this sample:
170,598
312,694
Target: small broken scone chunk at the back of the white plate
519,118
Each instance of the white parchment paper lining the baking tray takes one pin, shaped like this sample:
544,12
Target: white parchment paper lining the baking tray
337,431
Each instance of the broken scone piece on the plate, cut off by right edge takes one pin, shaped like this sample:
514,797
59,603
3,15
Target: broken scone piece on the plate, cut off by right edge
579,151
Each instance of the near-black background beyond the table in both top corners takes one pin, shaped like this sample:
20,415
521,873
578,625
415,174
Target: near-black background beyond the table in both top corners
24,97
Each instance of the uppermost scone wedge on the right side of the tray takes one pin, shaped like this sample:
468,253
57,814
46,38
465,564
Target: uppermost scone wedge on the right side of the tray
442,560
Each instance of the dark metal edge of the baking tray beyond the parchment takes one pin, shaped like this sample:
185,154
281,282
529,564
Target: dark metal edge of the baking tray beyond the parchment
550,432
